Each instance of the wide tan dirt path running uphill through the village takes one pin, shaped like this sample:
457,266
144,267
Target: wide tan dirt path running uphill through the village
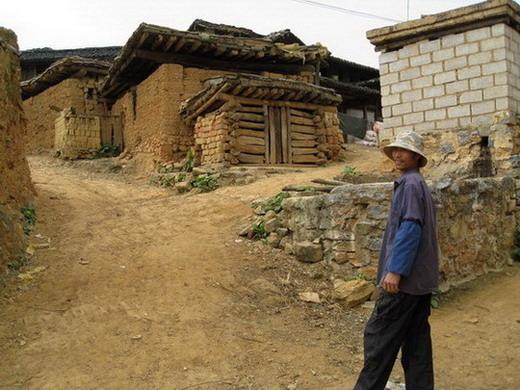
148,290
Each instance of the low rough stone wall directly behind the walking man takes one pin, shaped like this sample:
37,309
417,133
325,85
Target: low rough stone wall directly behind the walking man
476,222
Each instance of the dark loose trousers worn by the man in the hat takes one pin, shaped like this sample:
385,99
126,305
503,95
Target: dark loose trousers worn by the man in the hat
398,321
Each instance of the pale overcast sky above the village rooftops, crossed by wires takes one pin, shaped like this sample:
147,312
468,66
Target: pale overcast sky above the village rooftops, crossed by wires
63,24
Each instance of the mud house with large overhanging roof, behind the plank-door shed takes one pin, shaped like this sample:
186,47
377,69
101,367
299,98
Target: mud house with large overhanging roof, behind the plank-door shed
160,67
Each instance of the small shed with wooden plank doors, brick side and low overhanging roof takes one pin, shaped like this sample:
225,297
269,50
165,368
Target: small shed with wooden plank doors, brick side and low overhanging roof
259,120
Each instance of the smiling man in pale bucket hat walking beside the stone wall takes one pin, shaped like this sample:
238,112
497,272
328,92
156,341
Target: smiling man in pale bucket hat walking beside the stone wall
408,273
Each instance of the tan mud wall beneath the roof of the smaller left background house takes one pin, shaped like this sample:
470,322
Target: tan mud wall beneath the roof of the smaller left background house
71,92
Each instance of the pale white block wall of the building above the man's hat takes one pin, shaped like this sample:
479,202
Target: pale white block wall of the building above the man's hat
452,81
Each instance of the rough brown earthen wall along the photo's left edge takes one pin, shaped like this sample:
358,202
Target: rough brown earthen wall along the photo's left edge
16,189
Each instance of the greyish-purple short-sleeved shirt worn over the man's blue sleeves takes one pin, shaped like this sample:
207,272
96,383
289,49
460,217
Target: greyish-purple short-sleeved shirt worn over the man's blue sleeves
412,201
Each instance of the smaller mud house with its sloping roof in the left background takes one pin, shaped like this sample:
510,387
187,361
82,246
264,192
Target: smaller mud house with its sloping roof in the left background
71,82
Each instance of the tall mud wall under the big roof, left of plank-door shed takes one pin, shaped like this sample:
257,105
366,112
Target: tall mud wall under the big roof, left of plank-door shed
152,126
